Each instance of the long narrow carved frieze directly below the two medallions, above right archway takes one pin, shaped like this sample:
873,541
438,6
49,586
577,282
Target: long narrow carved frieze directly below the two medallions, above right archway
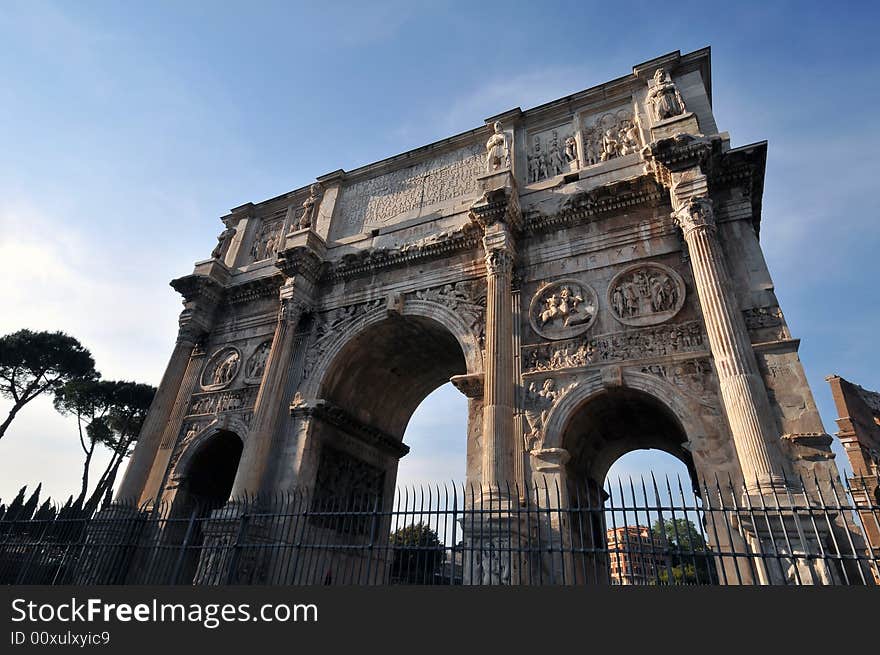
645,343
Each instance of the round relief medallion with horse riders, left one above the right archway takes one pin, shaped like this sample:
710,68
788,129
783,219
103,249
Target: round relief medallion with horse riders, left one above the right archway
563,309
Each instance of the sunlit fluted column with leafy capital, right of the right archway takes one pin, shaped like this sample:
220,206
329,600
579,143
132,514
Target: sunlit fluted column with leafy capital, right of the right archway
742,388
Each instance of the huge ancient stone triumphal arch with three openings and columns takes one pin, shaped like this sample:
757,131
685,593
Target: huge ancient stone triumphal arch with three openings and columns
587,272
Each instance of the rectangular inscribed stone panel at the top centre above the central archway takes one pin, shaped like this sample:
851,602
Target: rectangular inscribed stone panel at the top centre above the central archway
377,200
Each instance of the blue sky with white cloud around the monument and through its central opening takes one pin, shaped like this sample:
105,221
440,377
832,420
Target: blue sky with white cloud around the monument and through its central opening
128,128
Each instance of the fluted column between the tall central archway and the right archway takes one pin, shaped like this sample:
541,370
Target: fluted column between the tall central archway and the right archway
498,395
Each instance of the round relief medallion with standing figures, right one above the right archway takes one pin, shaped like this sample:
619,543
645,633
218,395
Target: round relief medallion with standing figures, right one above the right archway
645,294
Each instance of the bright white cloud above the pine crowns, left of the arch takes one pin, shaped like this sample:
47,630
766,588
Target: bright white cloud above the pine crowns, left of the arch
60,278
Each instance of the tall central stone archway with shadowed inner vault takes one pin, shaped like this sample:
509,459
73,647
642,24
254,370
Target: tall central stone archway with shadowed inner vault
368,383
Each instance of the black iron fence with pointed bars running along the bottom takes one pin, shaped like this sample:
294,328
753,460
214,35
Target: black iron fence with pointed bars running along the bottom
629,532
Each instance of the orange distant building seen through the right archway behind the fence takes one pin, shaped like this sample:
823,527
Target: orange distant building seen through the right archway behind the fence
635,555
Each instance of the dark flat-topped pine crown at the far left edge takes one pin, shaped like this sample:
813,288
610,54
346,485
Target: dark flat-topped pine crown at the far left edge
32,363
